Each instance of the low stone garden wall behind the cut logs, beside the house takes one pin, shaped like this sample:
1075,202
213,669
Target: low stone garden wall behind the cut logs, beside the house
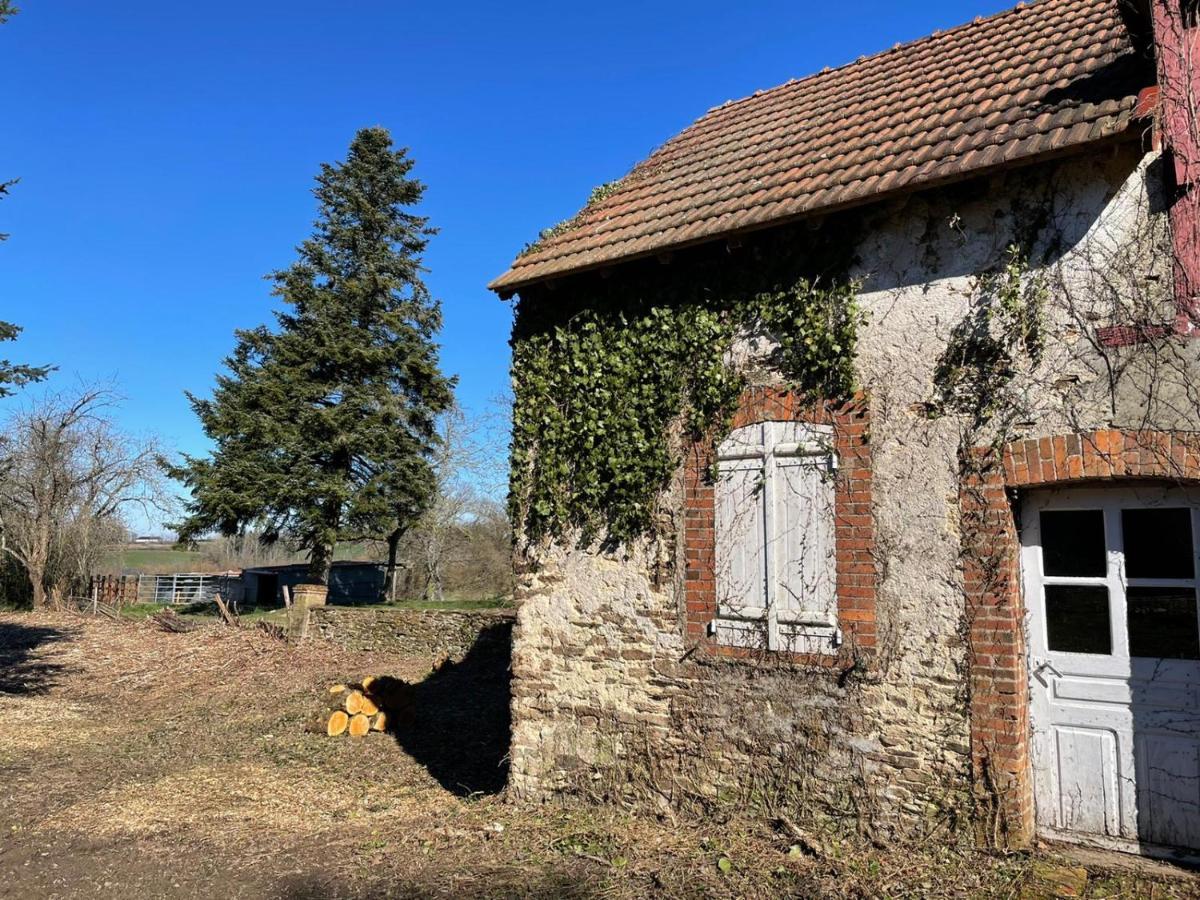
415,633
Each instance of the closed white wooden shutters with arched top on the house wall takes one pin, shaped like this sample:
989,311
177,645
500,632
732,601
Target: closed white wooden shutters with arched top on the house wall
776,563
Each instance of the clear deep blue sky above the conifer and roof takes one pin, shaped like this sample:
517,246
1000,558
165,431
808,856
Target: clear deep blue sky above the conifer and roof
166,153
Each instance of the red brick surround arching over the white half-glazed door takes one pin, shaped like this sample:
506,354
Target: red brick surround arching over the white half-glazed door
1000,727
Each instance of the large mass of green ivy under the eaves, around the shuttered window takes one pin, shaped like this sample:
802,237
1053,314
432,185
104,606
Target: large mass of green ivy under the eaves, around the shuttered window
610,375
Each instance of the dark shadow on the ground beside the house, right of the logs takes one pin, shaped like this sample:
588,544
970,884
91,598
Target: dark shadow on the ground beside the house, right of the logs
460,728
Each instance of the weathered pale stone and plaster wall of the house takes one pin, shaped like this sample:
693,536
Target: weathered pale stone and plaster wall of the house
611,697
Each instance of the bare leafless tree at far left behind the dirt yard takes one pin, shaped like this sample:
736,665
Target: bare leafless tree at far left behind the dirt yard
67,477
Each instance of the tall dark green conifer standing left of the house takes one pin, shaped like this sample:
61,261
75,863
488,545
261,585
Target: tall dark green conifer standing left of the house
325,427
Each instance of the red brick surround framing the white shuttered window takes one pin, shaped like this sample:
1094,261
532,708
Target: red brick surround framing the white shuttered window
855,531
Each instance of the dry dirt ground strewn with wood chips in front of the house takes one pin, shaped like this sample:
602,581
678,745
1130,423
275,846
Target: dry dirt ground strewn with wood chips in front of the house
140,764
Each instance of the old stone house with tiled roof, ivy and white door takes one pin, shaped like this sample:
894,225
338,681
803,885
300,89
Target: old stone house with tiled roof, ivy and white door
901,357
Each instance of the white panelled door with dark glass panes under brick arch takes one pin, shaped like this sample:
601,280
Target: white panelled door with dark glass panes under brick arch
1111,591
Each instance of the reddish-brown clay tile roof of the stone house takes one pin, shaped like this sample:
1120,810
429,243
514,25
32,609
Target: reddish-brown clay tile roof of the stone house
1042,79
